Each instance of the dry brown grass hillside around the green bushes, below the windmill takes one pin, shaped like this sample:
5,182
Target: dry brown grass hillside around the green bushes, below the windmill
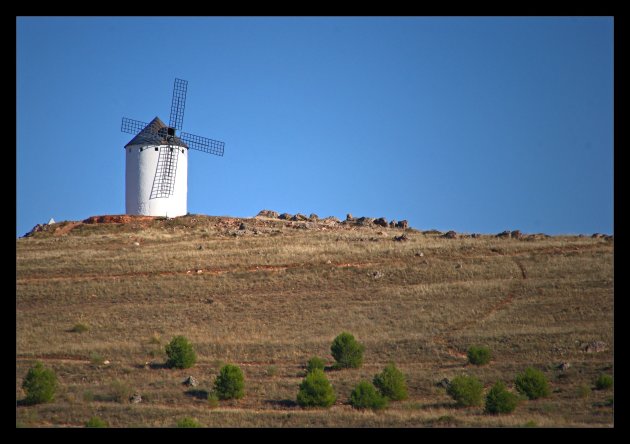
269,295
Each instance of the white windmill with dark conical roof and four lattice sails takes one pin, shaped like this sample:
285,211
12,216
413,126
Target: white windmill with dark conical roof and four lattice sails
156,171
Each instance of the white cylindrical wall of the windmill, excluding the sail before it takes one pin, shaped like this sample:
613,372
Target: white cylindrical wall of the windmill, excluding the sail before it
140,167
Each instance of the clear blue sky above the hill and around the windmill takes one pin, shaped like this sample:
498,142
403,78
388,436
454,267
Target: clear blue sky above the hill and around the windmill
470,124
